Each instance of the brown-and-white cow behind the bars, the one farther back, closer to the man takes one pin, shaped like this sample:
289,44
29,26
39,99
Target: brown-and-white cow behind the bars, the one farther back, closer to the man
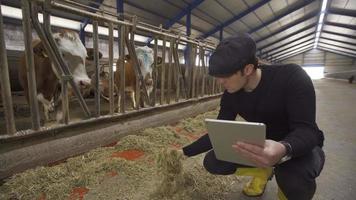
145,59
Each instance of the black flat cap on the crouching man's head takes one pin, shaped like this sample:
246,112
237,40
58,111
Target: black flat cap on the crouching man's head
232,54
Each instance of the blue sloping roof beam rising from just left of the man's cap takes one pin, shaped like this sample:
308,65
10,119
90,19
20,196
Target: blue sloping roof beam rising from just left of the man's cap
235,18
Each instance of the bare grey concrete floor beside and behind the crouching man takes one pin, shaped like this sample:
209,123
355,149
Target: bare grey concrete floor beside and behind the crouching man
336,116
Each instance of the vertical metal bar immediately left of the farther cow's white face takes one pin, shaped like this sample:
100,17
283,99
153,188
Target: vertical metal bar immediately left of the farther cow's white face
121,68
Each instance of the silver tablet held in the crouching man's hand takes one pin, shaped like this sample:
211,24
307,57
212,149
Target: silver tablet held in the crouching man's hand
224,133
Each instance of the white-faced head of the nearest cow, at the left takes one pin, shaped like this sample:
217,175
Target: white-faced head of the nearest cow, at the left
74,54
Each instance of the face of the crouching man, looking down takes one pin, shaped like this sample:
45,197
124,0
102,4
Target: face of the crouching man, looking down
234,82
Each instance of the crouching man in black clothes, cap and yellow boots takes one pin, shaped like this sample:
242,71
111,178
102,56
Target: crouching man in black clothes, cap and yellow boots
283,98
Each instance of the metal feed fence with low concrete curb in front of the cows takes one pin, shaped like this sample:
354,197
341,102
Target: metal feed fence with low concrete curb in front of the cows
28,141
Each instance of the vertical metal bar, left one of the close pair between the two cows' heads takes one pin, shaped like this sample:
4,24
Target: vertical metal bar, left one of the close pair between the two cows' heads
111,71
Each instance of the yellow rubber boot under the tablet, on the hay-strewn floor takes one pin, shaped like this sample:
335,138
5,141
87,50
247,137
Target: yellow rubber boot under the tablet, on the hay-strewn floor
256,186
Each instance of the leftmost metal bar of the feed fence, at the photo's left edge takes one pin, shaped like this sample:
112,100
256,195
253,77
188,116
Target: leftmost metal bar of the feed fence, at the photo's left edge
5,87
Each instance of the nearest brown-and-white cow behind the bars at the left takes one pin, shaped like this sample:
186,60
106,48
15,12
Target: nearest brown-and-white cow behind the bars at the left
47,77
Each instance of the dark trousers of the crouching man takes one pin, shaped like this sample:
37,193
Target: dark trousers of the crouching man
295,177
